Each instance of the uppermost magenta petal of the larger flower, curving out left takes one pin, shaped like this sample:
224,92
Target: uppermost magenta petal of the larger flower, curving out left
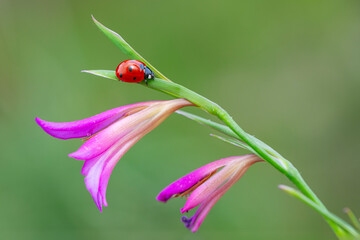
89,126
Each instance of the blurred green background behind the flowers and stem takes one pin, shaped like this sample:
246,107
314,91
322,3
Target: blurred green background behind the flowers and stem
288,71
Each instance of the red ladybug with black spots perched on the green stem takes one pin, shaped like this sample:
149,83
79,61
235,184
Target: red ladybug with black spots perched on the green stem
133,71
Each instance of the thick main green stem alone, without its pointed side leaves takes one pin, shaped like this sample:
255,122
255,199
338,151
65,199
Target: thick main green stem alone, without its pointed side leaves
262,150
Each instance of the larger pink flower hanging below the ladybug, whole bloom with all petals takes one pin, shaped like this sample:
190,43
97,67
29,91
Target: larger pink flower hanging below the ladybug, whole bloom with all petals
109,136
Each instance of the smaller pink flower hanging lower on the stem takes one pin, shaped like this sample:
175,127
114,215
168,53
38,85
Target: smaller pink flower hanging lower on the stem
206,186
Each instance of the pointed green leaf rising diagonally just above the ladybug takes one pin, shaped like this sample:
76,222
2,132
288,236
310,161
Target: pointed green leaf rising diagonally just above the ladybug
126,48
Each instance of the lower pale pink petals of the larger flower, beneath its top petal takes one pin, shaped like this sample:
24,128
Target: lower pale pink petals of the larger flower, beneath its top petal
115,141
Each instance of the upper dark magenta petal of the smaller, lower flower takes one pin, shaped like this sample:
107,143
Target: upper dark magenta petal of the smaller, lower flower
189,180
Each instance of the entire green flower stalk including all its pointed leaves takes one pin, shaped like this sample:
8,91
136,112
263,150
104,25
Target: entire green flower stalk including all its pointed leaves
342,229
